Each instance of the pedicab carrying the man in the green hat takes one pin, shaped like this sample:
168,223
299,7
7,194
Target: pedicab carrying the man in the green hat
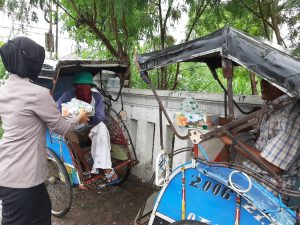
65,170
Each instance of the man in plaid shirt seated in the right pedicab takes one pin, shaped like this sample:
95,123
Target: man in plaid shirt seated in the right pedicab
278,143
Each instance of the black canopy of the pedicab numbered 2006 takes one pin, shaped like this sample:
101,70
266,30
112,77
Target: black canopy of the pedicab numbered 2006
270,63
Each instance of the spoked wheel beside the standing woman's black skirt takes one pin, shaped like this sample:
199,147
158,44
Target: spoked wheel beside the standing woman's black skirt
58,185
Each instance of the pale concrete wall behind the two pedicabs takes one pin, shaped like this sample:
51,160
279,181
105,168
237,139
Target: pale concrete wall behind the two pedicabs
143,122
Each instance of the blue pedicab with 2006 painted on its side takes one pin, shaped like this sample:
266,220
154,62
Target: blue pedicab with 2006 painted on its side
204,191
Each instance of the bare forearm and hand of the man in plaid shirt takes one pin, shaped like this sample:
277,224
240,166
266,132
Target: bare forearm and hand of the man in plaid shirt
254,152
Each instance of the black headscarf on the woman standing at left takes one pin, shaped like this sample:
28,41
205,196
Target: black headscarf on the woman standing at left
23,57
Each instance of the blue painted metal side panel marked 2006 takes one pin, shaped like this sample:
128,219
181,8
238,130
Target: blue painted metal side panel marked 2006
209,198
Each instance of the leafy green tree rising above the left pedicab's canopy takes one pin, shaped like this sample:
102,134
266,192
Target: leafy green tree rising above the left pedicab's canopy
113,25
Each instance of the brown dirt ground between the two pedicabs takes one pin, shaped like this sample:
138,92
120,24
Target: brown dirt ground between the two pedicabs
111,205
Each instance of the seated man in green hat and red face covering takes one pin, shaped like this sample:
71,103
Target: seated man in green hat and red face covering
95,129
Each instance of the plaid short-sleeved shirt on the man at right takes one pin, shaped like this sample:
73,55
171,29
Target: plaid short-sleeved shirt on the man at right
279,143
